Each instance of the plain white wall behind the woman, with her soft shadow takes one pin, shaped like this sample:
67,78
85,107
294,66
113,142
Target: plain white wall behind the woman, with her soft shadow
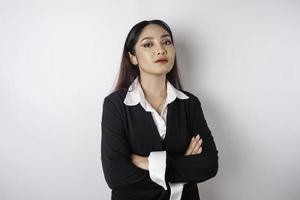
59,59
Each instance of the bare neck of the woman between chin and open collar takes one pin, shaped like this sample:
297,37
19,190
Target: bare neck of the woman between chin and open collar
154,86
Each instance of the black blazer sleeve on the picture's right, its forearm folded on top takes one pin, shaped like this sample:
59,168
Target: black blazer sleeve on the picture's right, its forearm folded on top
199,167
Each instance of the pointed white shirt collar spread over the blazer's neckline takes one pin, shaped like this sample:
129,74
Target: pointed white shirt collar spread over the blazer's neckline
135,95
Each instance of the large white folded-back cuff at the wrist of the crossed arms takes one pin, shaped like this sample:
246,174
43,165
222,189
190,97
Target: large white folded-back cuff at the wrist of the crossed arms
157,167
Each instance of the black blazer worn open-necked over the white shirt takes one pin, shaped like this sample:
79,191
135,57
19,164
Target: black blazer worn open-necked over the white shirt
131,129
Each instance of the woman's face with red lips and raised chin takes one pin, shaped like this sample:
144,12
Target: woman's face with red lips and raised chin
154,43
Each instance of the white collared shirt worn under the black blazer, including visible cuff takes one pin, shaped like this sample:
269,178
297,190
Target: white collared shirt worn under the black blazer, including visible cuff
157,159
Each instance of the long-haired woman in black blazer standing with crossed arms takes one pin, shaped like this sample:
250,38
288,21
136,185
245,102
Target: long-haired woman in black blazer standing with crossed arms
155,141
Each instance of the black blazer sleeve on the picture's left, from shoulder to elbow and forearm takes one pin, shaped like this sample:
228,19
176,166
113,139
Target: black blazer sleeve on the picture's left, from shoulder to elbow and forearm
119,171
